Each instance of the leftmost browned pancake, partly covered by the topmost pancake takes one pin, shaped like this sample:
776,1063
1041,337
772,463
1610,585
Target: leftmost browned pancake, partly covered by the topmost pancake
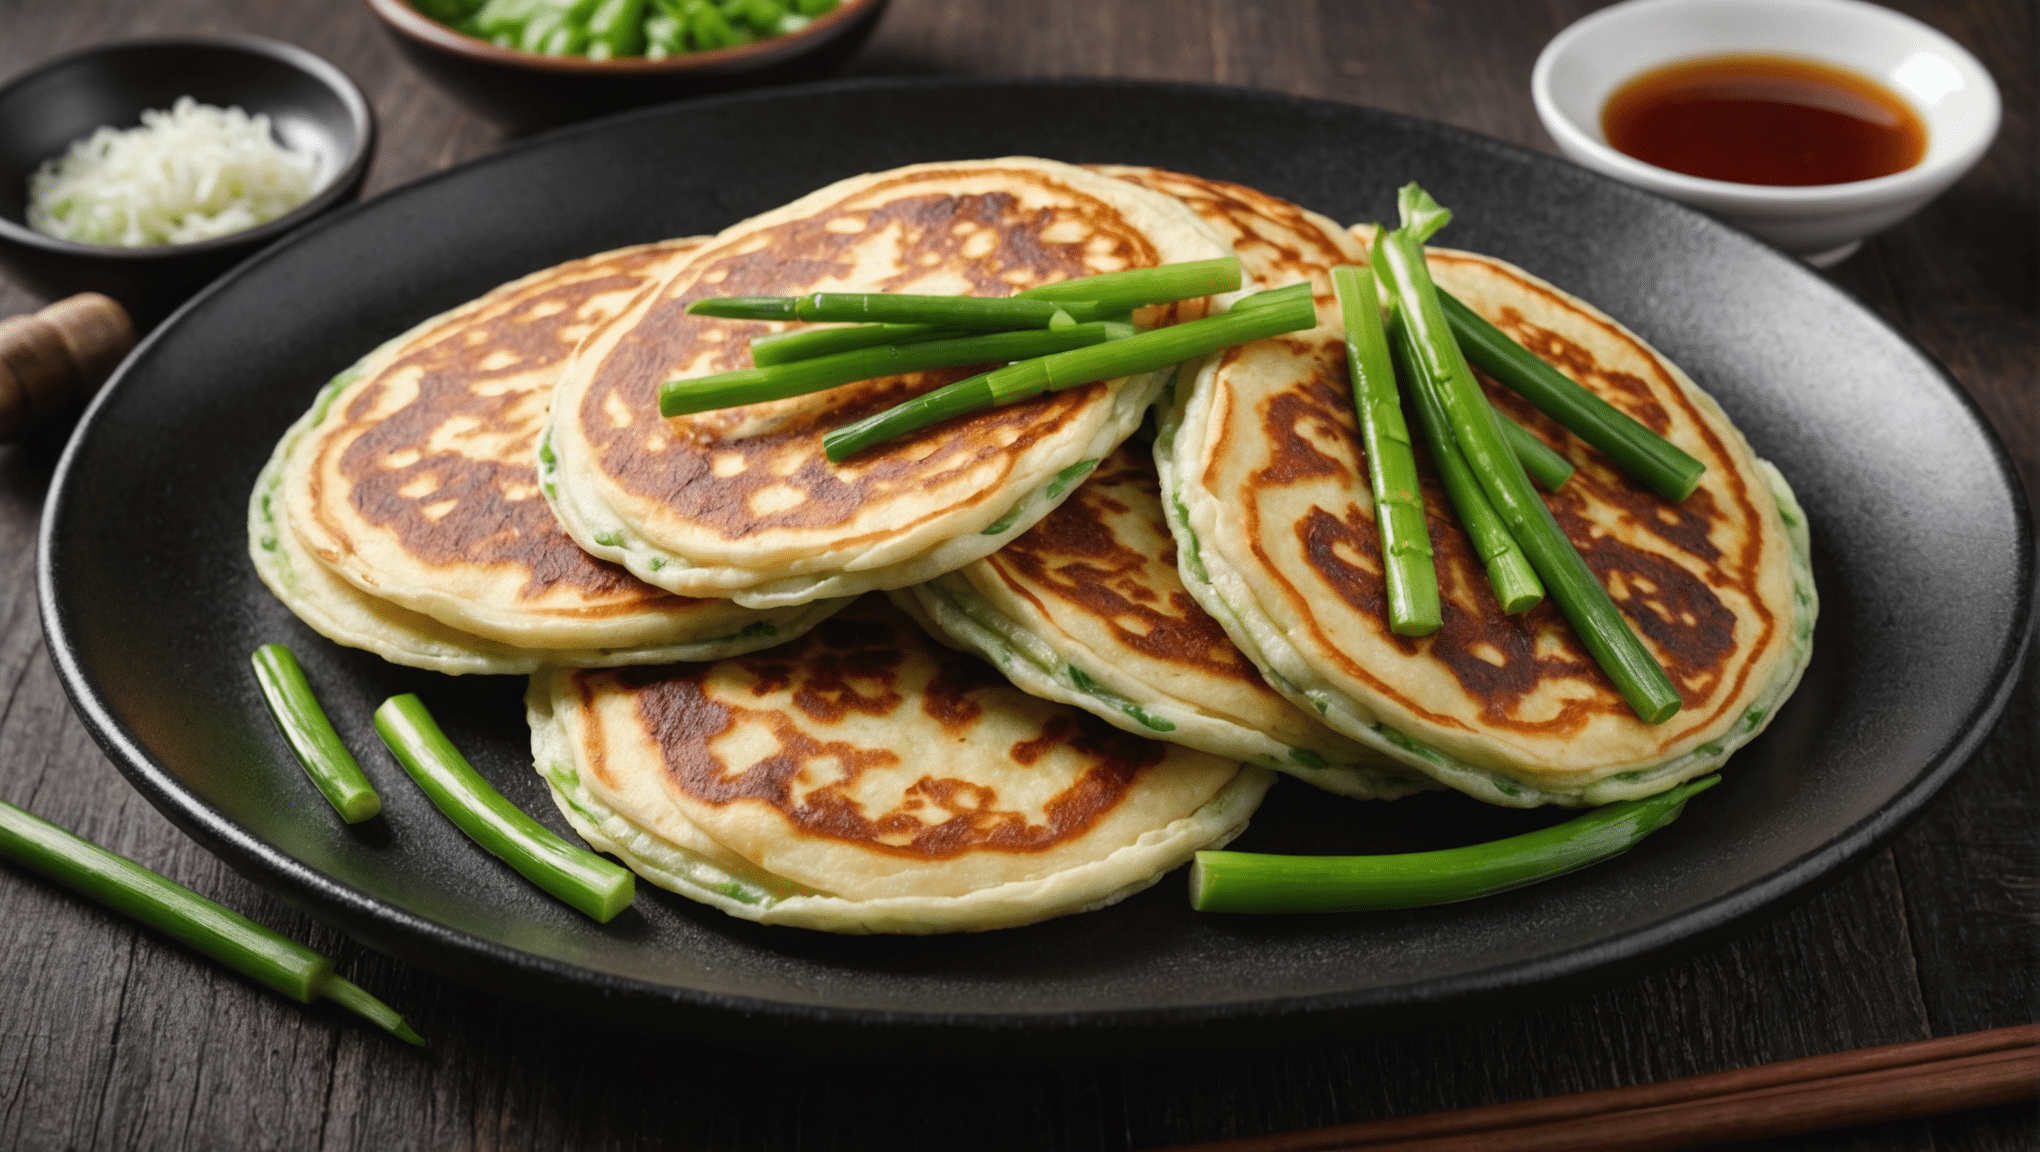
403,513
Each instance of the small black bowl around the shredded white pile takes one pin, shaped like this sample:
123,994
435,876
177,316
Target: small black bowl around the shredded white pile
311,105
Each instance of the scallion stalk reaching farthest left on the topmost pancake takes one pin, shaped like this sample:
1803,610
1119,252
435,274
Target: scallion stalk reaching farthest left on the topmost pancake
801,378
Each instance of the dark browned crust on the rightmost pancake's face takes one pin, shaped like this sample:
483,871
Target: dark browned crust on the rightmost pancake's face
1498,660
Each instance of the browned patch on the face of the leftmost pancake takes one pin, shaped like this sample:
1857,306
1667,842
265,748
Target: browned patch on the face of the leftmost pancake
448,507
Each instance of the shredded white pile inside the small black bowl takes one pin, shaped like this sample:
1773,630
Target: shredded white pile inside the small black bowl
189,174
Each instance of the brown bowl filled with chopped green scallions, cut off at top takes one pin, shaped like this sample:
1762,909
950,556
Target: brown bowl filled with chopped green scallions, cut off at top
535,64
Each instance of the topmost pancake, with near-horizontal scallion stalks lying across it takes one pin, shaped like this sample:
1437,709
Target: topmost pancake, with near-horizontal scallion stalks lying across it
744,503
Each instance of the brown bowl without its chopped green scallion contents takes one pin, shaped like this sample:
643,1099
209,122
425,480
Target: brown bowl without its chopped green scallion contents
529,91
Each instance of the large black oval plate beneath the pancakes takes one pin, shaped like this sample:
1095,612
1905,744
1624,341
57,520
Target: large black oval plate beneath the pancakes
1921,539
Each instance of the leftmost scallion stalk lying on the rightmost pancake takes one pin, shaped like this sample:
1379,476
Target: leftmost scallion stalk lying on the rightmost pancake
1407,560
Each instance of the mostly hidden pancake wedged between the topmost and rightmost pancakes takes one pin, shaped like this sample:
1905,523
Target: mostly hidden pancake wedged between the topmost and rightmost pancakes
1088,609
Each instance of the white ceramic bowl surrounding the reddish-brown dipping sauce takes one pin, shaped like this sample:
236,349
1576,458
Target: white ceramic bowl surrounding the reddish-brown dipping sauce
1943,162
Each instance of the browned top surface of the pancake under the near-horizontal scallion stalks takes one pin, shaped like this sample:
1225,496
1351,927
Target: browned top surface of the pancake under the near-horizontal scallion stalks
992,240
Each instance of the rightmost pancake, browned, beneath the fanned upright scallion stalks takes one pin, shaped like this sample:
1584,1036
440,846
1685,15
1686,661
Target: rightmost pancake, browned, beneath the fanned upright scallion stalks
1264,474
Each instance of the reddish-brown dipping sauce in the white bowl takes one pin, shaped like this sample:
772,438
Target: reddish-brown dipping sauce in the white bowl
1764,119
